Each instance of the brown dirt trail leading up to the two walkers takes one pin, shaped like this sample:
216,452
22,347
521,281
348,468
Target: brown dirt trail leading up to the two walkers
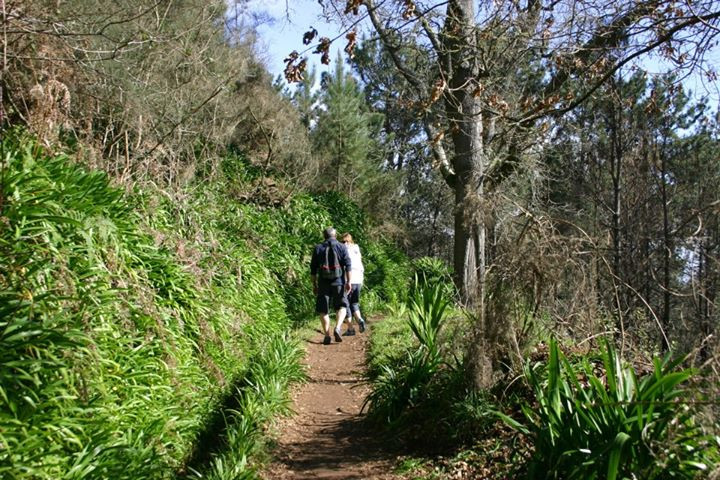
328,438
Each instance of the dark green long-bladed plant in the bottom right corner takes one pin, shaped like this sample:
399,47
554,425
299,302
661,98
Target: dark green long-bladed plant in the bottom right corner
611,424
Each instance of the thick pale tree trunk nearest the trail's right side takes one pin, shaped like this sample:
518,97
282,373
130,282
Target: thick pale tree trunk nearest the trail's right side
469,159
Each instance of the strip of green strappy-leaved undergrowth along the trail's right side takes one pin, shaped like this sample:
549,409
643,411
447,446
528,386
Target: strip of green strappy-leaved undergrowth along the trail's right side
588,416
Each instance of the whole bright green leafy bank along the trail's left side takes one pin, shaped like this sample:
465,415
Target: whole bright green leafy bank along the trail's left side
135,325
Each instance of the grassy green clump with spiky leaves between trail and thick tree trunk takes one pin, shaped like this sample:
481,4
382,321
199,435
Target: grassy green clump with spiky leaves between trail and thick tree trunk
417,372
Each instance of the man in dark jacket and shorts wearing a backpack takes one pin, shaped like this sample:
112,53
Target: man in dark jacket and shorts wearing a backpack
330,274
